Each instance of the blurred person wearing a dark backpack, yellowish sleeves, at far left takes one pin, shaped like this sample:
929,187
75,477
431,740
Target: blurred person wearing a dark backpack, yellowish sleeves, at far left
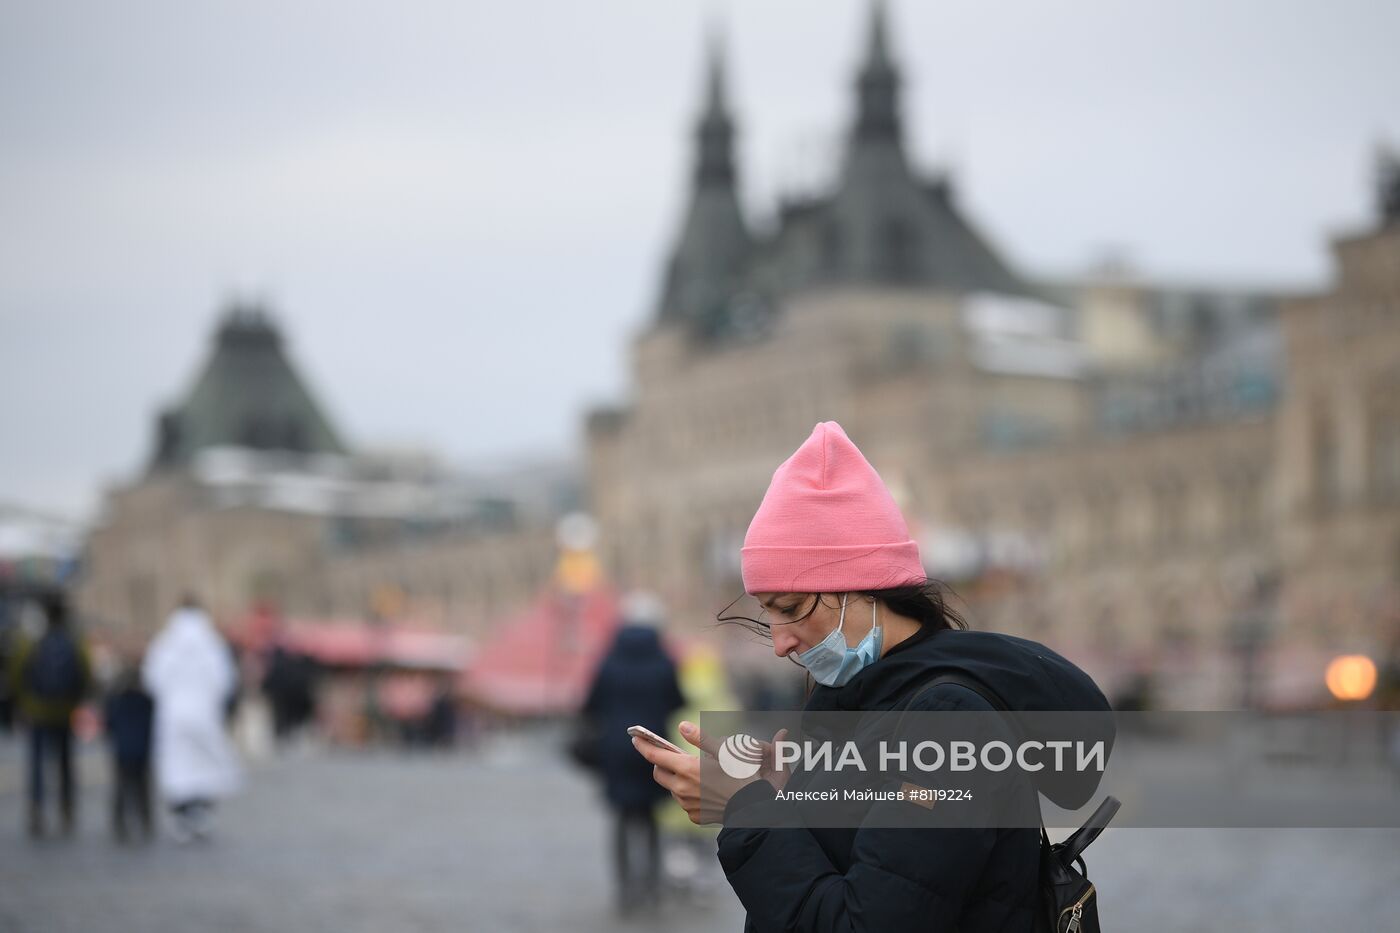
50,677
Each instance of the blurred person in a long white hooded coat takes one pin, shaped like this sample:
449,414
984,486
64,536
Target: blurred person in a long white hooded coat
191,675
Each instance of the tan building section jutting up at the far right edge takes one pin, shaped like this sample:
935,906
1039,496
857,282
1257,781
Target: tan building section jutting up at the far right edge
1338,439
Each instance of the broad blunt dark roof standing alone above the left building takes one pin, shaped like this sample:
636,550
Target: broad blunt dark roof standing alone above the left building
247,396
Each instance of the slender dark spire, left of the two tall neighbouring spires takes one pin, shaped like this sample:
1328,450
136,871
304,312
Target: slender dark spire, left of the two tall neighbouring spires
715,244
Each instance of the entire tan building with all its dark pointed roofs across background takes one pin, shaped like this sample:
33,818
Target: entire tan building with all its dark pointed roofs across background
1121,467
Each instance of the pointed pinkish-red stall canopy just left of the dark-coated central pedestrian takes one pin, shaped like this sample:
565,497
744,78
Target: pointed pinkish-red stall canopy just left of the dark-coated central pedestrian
542,661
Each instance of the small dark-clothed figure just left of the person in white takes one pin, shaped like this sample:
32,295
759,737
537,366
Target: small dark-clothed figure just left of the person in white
129,714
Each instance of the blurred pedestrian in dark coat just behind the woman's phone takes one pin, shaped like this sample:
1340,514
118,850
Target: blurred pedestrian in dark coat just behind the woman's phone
636,686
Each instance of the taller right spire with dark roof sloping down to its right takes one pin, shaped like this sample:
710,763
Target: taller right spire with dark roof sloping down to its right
884,225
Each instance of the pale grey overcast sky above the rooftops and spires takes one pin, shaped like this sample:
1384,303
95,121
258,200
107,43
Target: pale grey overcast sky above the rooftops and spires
460,211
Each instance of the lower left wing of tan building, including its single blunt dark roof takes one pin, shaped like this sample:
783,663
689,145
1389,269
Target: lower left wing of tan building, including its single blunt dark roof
253,498
